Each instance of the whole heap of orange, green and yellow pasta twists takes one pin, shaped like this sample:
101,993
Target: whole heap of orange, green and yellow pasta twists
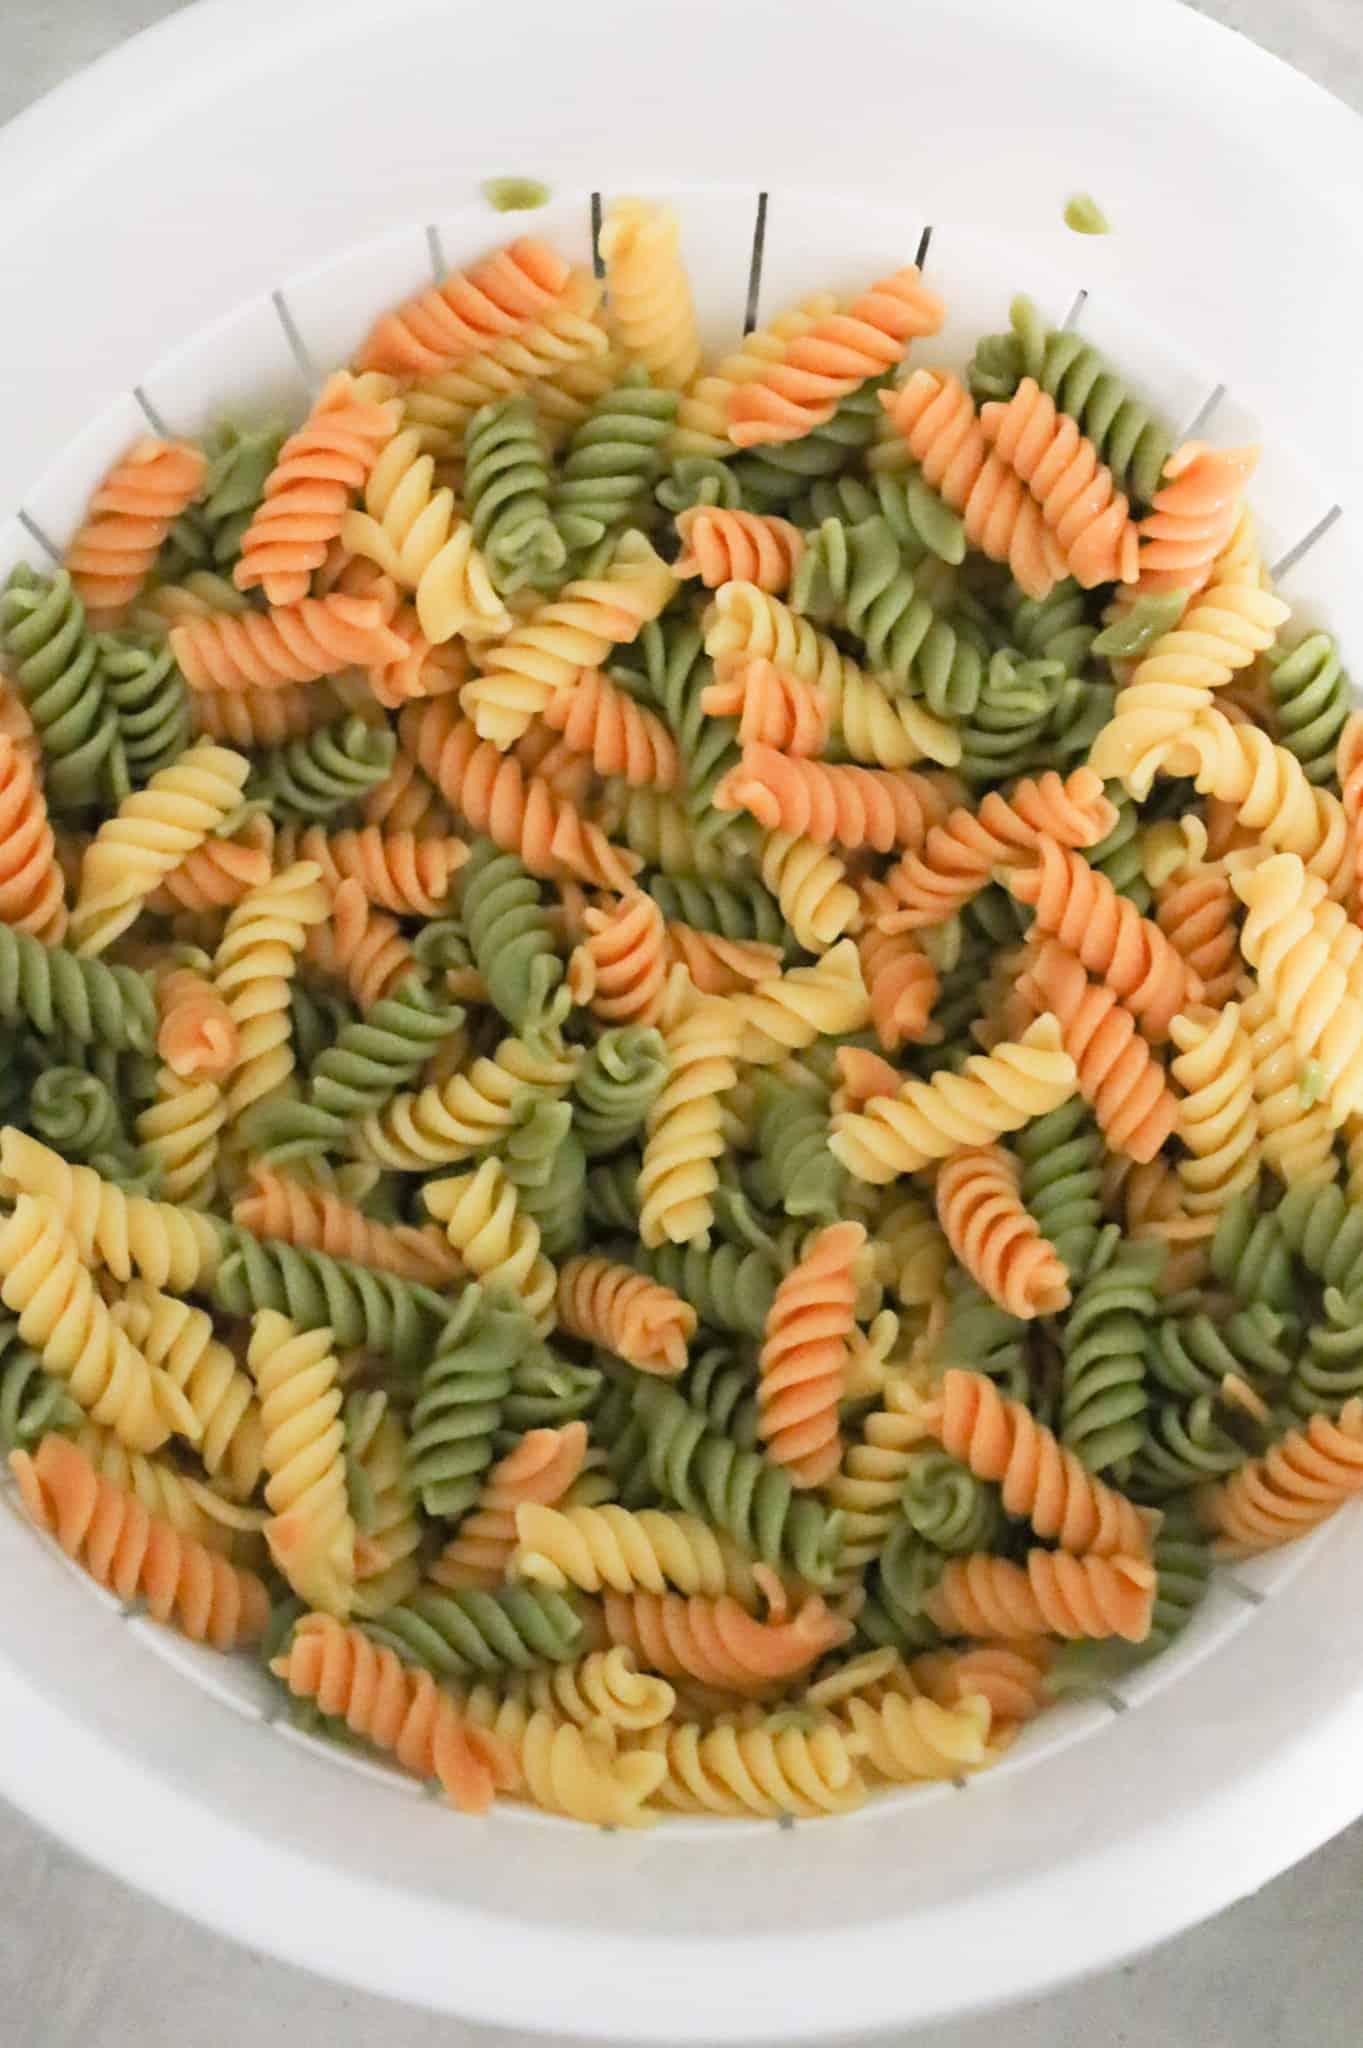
683,1043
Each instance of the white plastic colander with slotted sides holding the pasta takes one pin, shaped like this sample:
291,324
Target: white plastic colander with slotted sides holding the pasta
216,212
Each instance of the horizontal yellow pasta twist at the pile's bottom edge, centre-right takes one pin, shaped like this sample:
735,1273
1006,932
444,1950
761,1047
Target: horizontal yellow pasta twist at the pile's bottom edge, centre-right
764,1773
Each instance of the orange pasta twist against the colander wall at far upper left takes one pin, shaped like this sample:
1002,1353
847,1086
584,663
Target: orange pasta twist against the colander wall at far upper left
128,519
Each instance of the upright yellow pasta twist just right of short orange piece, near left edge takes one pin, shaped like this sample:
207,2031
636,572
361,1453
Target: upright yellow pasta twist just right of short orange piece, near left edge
253,970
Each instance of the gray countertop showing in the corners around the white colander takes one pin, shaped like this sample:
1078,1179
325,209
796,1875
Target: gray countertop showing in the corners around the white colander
83,1961
